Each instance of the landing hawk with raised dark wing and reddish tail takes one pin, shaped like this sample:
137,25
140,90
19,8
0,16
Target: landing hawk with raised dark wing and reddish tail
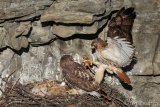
117,51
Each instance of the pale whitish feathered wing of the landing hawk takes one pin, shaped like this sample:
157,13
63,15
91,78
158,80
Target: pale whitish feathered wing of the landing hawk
119,52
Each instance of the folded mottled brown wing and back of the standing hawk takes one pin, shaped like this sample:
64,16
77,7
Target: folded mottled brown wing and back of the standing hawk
77,77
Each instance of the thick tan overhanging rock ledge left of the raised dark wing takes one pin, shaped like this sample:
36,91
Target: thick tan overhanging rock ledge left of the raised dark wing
89,16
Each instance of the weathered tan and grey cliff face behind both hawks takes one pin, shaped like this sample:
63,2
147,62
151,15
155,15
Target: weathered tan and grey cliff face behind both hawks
28,40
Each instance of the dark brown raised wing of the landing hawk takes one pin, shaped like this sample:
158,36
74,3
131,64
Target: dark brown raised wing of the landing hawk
121,24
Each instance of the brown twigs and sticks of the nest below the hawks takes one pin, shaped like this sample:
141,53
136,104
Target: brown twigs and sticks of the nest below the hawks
19,95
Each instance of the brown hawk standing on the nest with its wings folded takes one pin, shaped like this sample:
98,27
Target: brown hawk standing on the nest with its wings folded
78,78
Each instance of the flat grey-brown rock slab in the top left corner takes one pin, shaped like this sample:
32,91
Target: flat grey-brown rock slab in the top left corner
18,9
